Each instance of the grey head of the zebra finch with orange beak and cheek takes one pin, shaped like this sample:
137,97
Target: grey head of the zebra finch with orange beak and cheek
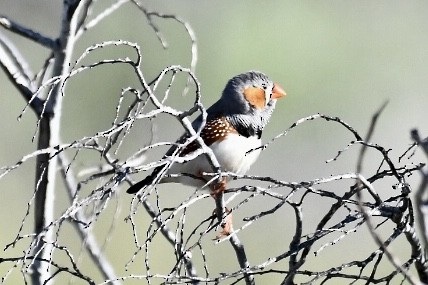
247,101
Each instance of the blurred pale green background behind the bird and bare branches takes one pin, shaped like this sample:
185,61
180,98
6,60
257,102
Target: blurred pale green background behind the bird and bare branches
340,58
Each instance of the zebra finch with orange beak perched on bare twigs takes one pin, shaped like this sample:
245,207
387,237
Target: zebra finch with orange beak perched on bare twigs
233,130
